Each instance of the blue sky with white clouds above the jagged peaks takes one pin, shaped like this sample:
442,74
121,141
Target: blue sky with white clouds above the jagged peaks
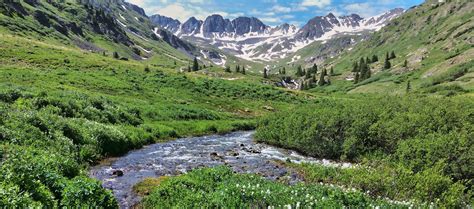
271,12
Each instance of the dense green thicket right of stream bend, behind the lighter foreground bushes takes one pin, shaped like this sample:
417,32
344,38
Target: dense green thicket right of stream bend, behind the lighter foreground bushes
351,129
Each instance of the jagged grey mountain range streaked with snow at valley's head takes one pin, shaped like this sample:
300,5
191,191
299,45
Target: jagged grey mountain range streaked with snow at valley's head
250,39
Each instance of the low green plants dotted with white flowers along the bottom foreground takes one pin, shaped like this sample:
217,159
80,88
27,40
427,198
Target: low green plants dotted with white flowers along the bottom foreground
220,188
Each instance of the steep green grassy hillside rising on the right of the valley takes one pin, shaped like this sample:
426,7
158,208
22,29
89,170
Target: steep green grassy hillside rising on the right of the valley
436,41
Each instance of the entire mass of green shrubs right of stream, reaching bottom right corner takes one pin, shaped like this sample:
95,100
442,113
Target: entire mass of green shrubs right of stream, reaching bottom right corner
427,142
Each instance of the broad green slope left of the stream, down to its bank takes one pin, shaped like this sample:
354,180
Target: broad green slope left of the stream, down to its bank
63,108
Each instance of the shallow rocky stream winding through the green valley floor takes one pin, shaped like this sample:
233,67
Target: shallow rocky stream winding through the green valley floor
236,150
